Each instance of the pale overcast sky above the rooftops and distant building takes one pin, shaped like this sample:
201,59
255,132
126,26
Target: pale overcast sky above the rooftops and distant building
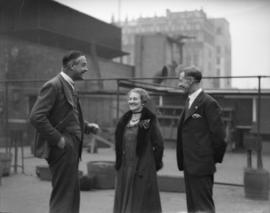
249,25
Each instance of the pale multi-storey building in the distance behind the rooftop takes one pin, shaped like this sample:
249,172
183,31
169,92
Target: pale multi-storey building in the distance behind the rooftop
192,37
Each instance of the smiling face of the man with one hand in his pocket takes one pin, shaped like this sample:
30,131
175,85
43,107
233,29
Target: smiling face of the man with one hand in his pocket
78,67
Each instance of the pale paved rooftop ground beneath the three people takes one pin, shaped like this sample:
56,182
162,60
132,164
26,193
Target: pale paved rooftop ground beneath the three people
25,193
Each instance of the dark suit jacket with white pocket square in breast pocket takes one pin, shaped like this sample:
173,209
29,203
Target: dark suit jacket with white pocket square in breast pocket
201,137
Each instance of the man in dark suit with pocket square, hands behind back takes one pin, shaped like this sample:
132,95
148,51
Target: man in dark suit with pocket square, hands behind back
200,142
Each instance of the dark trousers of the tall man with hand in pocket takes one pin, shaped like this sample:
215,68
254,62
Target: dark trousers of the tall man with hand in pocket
63,163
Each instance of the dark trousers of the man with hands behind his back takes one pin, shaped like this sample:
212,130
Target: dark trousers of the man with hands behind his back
199,193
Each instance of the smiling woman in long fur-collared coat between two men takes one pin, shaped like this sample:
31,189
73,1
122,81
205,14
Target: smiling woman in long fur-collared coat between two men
139,152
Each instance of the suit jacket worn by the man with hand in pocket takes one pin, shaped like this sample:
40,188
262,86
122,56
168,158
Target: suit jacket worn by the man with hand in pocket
51,113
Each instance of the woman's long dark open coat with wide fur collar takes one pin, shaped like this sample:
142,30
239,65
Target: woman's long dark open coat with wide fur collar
149,150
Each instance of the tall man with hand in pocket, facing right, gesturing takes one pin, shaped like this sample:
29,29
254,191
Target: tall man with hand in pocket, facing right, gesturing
57,117
